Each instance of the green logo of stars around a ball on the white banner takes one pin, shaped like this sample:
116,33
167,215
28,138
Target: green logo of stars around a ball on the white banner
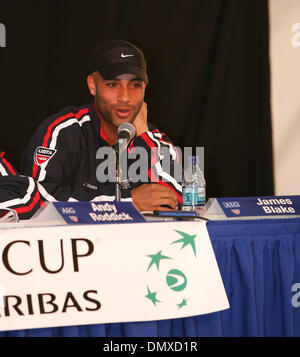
168,282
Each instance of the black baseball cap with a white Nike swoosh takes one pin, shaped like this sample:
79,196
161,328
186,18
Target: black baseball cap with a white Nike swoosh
115,57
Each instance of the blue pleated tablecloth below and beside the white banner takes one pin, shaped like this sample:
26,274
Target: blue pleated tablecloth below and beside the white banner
259,262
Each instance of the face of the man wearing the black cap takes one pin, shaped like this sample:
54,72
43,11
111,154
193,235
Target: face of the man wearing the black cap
118,100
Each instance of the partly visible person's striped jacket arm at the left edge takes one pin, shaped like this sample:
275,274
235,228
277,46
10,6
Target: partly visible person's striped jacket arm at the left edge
17,192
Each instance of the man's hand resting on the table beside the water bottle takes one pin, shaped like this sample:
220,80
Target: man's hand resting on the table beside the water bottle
150,197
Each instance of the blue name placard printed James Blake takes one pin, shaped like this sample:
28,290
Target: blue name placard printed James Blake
255,206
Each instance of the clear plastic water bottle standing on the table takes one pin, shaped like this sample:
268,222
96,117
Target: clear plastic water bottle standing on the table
193,188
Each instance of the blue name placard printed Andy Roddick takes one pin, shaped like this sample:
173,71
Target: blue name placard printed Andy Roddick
104,212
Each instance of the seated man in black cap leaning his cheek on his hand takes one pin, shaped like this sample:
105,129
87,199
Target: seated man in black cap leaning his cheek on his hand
62,154
